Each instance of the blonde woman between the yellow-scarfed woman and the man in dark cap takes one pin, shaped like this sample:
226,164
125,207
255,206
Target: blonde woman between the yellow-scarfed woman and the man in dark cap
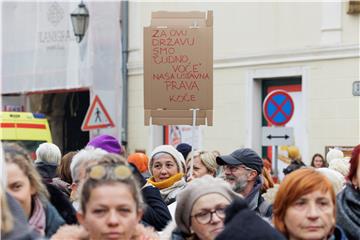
204,164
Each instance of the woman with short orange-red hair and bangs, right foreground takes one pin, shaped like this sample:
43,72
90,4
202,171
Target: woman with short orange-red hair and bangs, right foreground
304,207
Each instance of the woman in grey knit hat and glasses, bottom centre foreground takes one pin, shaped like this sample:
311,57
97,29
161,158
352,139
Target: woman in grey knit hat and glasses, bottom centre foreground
200,210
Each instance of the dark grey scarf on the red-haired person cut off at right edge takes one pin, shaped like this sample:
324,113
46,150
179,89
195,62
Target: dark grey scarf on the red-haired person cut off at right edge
348,211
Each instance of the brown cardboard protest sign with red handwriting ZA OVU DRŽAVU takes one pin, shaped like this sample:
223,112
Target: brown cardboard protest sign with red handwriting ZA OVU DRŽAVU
178,68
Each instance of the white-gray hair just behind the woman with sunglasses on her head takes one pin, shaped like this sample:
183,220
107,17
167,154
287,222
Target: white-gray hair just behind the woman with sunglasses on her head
85,156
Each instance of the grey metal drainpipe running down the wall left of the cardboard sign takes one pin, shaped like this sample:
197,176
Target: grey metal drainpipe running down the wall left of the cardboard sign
125,52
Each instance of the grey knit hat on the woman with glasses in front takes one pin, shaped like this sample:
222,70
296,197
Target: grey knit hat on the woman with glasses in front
193,191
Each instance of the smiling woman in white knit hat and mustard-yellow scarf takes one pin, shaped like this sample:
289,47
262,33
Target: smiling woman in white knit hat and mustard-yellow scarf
166,167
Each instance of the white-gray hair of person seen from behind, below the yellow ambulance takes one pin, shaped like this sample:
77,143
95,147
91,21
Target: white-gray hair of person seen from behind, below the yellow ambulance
48,153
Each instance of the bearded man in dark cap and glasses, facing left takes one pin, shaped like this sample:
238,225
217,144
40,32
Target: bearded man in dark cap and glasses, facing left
242,169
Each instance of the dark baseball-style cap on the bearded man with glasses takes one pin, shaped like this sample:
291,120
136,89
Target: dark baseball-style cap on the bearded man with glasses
245,156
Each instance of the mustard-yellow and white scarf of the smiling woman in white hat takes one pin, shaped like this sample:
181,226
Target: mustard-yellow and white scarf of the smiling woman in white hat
170,187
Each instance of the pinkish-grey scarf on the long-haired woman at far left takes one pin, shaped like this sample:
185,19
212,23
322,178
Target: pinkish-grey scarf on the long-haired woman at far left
38,217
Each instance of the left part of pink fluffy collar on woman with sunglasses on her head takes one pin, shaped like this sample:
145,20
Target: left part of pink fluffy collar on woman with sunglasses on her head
70,232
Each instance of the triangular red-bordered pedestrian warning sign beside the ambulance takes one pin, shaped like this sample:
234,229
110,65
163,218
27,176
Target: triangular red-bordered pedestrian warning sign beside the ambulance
97,117
